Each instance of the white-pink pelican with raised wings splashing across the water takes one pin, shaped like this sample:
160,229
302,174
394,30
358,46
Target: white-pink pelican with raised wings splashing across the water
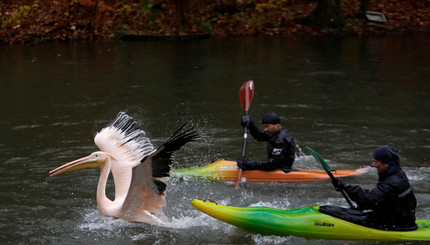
139,170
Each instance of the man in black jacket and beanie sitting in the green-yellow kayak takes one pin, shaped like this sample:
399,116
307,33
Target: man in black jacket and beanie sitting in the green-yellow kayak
391,203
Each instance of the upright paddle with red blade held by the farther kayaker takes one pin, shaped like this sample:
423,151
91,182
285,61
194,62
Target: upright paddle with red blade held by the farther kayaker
246,93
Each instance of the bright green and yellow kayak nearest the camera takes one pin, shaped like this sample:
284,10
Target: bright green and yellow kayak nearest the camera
305,222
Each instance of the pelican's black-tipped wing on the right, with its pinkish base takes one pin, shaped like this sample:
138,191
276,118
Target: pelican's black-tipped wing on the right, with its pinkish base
148,185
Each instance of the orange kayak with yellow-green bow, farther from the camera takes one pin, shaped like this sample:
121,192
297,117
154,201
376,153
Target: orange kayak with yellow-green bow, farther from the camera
227,170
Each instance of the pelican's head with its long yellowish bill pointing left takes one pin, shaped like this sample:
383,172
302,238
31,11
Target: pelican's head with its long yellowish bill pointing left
96,159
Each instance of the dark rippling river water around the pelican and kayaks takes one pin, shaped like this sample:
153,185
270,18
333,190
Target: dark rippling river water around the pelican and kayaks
342,97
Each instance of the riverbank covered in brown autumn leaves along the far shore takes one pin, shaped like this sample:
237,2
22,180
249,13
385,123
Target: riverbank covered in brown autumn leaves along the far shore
34,21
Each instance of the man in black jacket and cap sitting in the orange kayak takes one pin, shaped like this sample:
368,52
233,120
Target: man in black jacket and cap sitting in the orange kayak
280,144
